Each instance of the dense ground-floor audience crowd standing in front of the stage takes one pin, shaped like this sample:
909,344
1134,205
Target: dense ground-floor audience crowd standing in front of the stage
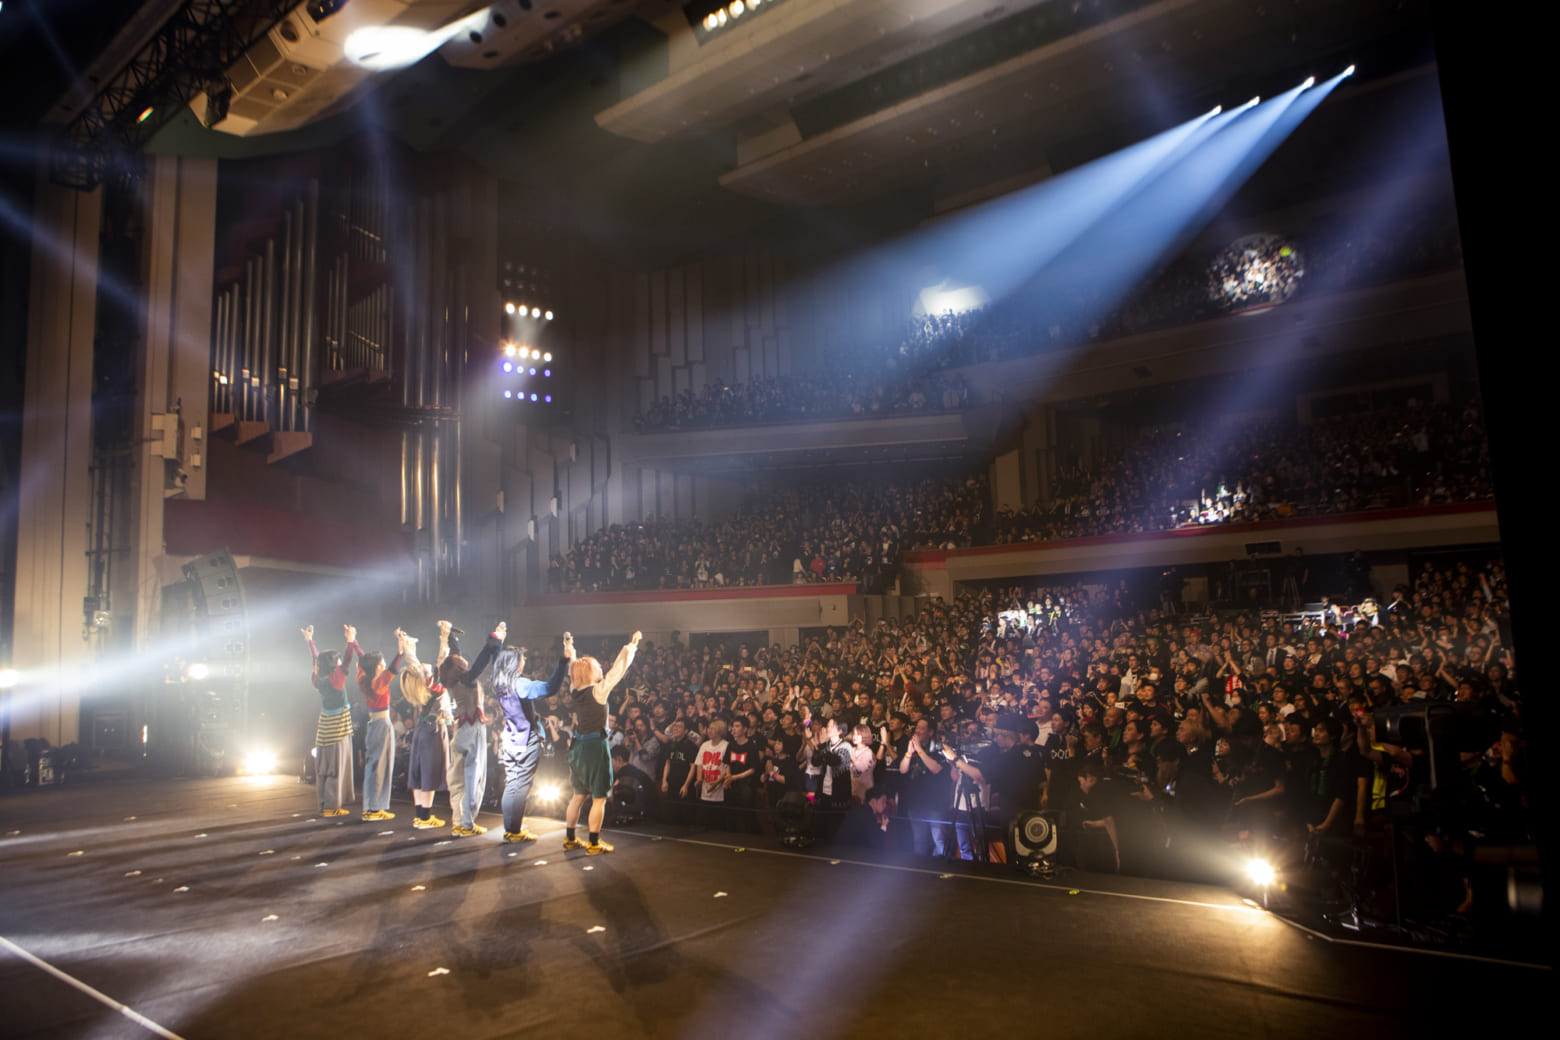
1169,743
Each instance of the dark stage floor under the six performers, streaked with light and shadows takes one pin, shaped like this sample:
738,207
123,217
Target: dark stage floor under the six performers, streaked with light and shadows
224,908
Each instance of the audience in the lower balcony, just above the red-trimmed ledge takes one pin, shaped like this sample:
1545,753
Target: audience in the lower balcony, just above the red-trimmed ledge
1158,479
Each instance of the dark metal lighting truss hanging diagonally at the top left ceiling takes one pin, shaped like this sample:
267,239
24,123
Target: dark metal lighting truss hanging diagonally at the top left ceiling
194,48
